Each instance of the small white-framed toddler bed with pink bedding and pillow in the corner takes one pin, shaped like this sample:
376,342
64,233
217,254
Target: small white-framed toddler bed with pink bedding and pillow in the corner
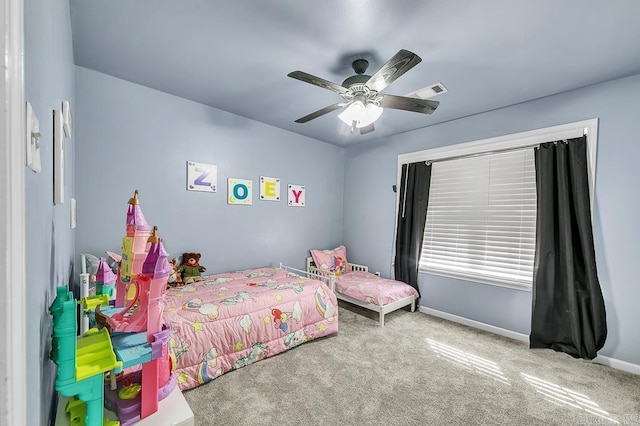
354,283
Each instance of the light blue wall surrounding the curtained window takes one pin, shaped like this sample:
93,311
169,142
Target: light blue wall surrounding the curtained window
371,171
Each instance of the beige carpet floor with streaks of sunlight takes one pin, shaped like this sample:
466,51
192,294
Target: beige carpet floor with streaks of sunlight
417,370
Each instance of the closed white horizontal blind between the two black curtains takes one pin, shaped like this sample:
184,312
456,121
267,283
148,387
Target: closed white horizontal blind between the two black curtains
481,219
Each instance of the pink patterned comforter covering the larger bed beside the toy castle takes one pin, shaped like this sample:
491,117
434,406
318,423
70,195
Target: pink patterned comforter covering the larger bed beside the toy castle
234,319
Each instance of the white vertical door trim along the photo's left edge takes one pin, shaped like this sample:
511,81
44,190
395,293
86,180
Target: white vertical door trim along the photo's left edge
12,219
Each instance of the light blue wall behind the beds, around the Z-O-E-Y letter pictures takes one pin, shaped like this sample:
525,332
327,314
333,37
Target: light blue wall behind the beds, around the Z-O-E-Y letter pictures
132,137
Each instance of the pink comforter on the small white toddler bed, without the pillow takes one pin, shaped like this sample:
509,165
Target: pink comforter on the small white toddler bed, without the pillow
370,288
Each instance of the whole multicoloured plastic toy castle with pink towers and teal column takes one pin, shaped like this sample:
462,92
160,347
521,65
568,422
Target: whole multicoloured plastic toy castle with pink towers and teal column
132,342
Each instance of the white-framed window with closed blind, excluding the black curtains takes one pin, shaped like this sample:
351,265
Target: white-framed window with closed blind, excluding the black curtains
481,216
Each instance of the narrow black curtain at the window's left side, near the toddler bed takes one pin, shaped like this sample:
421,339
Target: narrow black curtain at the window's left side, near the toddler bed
412,214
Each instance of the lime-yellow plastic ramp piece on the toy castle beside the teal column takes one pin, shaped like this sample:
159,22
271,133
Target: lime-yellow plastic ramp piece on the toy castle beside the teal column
95,354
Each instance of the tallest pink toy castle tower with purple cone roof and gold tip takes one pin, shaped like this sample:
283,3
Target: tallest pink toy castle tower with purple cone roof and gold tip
134,248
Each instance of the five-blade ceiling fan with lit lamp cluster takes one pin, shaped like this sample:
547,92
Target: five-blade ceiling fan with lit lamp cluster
362,101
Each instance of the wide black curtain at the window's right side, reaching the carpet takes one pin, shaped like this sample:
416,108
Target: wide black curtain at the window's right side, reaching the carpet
568,312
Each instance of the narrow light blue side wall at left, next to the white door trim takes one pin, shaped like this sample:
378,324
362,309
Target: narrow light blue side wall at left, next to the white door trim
49,79
